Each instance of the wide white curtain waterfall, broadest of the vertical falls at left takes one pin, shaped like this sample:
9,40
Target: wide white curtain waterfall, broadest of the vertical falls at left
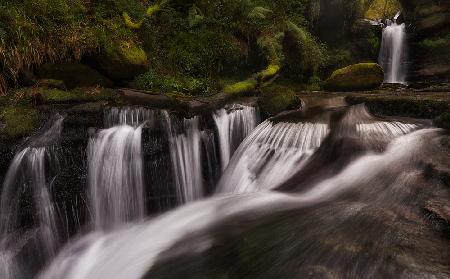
115,178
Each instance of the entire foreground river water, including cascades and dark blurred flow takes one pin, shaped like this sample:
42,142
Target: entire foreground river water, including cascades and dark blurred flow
329,190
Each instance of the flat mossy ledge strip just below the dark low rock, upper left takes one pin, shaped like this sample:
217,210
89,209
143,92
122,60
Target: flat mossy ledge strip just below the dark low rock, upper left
80,95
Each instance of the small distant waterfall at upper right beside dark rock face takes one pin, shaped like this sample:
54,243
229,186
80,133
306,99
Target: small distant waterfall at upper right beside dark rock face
393,57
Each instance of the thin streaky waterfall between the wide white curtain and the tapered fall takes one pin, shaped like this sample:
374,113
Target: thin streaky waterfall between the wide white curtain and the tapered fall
185,153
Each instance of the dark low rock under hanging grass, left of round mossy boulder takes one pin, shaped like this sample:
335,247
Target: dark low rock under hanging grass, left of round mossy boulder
73,75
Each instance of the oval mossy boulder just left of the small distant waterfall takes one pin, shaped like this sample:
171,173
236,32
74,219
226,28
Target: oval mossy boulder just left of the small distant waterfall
357,77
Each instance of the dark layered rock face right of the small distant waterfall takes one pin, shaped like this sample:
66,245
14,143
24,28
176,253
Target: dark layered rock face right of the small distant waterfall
429,23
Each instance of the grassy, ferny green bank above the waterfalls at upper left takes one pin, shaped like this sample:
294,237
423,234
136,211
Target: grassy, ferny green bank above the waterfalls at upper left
182,45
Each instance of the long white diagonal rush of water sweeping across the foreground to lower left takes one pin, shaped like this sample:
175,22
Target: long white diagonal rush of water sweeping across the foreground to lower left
131,253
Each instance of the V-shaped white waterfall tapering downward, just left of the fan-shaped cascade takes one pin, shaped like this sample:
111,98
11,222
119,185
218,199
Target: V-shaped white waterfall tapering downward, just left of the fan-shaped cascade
233,124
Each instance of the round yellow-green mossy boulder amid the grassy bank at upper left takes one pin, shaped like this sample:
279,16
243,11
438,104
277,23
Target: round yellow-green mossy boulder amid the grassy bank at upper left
122,61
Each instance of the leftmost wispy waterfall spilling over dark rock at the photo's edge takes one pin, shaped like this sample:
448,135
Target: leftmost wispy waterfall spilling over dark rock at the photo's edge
30,177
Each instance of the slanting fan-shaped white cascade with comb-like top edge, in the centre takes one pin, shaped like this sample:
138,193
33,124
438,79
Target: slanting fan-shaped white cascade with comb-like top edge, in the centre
271,155
